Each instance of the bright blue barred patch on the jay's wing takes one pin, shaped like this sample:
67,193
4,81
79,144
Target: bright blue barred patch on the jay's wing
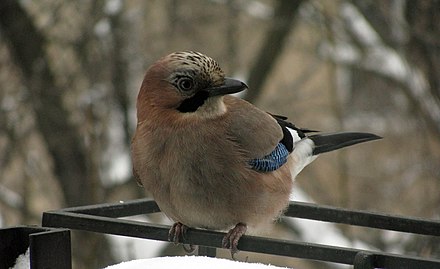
272,161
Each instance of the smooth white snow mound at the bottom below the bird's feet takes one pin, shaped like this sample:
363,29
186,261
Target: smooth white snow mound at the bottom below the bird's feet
189,262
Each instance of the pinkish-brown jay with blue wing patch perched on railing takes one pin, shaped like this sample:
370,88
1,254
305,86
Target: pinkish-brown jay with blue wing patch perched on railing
214,161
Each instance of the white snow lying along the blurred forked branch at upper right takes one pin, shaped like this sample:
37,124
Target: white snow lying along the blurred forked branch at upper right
377,57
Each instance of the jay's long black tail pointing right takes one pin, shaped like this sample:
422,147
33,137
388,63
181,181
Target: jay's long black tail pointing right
328,142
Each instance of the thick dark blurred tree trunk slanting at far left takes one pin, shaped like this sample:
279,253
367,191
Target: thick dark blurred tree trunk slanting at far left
27,46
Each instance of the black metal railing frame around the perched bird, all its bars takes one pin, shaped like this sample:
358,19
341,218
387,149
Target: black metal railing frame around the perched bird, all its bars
105,218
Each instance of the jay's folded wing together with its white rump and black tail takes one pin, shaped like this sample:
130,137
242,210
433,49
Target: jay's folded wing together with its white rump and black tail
268,139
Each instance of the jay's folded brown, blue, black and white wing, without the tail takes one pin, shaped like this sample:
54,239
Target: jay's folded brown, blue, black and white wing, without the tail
266,139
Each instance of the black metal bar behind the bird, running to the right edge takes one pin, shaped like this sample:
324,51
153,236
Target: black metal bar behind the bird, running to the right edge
363,218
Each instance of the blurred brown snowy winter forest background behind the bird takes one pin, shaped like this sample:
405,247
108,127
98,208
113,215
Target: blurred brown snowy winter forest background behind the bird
71,70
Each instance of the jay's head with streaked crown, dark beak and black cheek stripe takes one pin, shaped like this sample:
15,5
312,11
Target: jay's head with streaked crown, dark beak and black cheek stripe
187,82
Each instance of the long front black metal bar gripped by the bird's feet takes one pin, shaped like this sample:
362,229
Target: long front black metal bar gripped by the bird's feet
247,243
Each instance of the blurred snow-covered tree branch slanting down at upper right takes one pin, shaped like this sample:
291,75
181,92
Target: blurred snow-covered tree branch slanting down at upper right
389,63
